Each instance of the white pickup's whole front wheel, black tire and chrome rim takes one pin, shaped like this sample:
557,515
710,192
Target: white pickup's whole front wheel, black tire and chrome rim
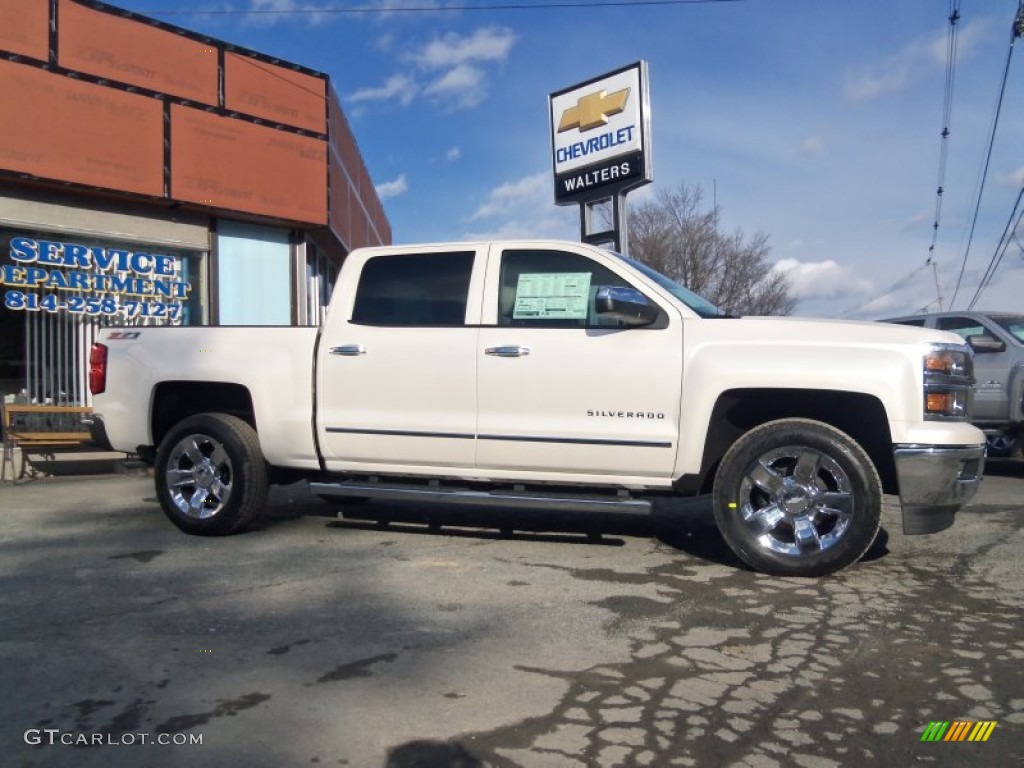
798,498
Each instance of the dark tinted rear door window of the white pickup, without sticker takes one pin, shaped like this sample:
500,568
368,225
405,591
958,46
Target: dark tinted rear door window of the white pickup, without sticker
414,290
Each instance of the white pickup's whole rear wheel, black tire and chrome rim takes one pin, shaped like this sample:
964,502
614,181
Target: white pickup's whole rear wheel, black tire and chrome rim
210,475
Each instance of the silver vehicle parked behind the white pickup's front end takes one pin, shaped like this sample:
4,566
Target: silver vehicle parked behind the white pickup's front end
998,342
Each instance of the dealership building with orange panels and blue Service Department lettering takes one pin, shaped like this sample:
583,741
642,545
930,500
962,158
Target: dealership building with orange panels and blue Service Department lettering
150,176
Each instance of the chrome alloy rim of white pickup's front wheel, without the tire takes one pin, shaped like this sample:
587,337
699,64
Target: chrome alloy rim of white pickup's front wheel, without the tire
796,501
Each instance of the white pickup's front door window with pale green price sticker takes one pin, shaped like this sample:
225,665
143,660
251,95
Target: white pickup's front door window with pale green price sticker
552,289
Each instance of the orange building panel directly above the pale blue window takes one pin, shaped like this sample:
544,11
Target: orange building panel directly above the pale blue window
226,163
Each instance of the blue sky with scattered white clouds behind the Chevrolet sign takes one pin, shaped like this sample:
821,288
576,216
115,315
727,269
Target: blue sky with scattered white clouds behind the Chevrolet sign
818,123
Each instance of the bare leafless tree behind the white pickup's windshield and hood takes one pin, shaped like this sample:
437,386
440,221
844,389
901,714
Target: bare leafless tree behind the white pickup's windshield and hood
680,238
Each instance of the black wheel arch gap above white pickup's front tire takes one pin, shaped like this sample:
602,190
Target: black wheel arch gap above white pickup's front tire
738,411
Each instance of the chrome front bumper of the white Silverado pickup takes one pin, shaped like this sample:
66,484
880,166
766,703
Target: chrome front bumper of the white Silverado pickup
935,482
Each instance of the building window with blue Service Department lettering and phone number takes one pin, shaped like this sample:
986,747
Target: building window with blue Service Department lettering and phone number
58,291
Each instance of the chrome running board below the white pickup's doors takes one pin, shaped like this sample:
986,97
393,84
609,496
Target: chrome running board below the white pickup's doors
510,498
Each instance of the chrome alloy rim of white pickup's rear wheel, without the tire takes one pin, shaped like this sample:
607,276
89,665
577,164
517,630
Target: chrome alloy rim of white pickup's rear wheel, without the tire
199,477
